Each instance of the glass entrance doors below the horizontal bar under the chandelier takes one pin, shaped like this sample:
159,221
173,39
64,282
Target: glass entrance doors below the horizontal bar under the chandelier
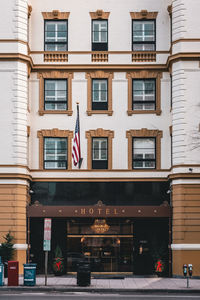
104,253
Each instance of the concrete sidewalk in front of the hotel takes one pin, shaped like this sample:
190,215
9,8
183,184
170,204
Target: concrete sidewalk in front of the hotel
128,284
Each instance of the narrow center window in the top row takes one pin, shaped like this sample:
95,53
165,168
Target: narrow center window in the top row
99,35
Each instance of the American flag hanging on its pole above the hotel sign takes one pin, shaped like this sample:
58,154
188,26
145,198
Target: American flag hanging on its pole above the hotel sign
76,148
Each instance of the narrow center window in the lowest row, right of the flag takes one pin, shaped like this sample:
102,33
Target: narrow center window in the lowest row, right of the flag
99,153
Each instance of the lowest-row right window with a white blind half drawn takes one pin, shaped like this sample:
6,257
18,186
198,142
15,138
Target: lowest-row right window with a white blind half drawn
144,153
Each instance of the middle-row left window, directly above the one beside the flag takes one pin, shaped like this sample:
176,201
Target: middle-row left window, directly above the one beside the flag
55,94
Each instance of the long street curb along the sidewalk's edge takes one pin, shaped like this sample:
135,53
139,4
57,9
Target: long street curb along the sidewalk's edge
97,290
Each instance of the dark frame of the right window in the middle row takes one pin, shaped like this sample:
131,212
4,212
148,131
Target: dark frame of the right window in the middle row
143,102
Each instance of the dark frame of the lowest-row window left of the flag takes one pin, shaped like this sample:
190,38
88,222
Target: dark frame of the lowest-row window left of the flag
55,154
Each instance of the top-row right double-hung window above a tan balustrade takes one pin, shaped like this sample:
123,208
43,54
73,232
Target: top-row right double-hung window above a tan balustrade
144,35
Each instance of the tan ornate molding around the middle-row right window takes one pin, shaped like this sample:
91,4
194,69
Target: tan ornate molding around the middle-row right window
144,74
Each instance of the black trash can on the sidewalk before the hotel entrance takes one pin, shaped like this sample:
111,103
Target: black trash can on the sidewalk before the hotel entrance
83,274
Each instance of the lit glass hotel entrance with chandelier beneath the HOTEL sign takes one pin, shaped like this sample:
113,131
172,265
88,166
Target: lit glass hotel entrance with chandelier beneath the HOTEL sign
106,244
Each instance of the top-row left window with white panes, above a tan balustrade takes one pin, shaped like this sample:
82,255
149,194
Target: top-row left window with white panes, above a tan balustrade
56,35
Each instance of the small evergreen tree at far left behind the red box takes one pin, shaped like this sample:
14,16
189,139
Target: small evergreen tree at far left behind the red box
7,251
